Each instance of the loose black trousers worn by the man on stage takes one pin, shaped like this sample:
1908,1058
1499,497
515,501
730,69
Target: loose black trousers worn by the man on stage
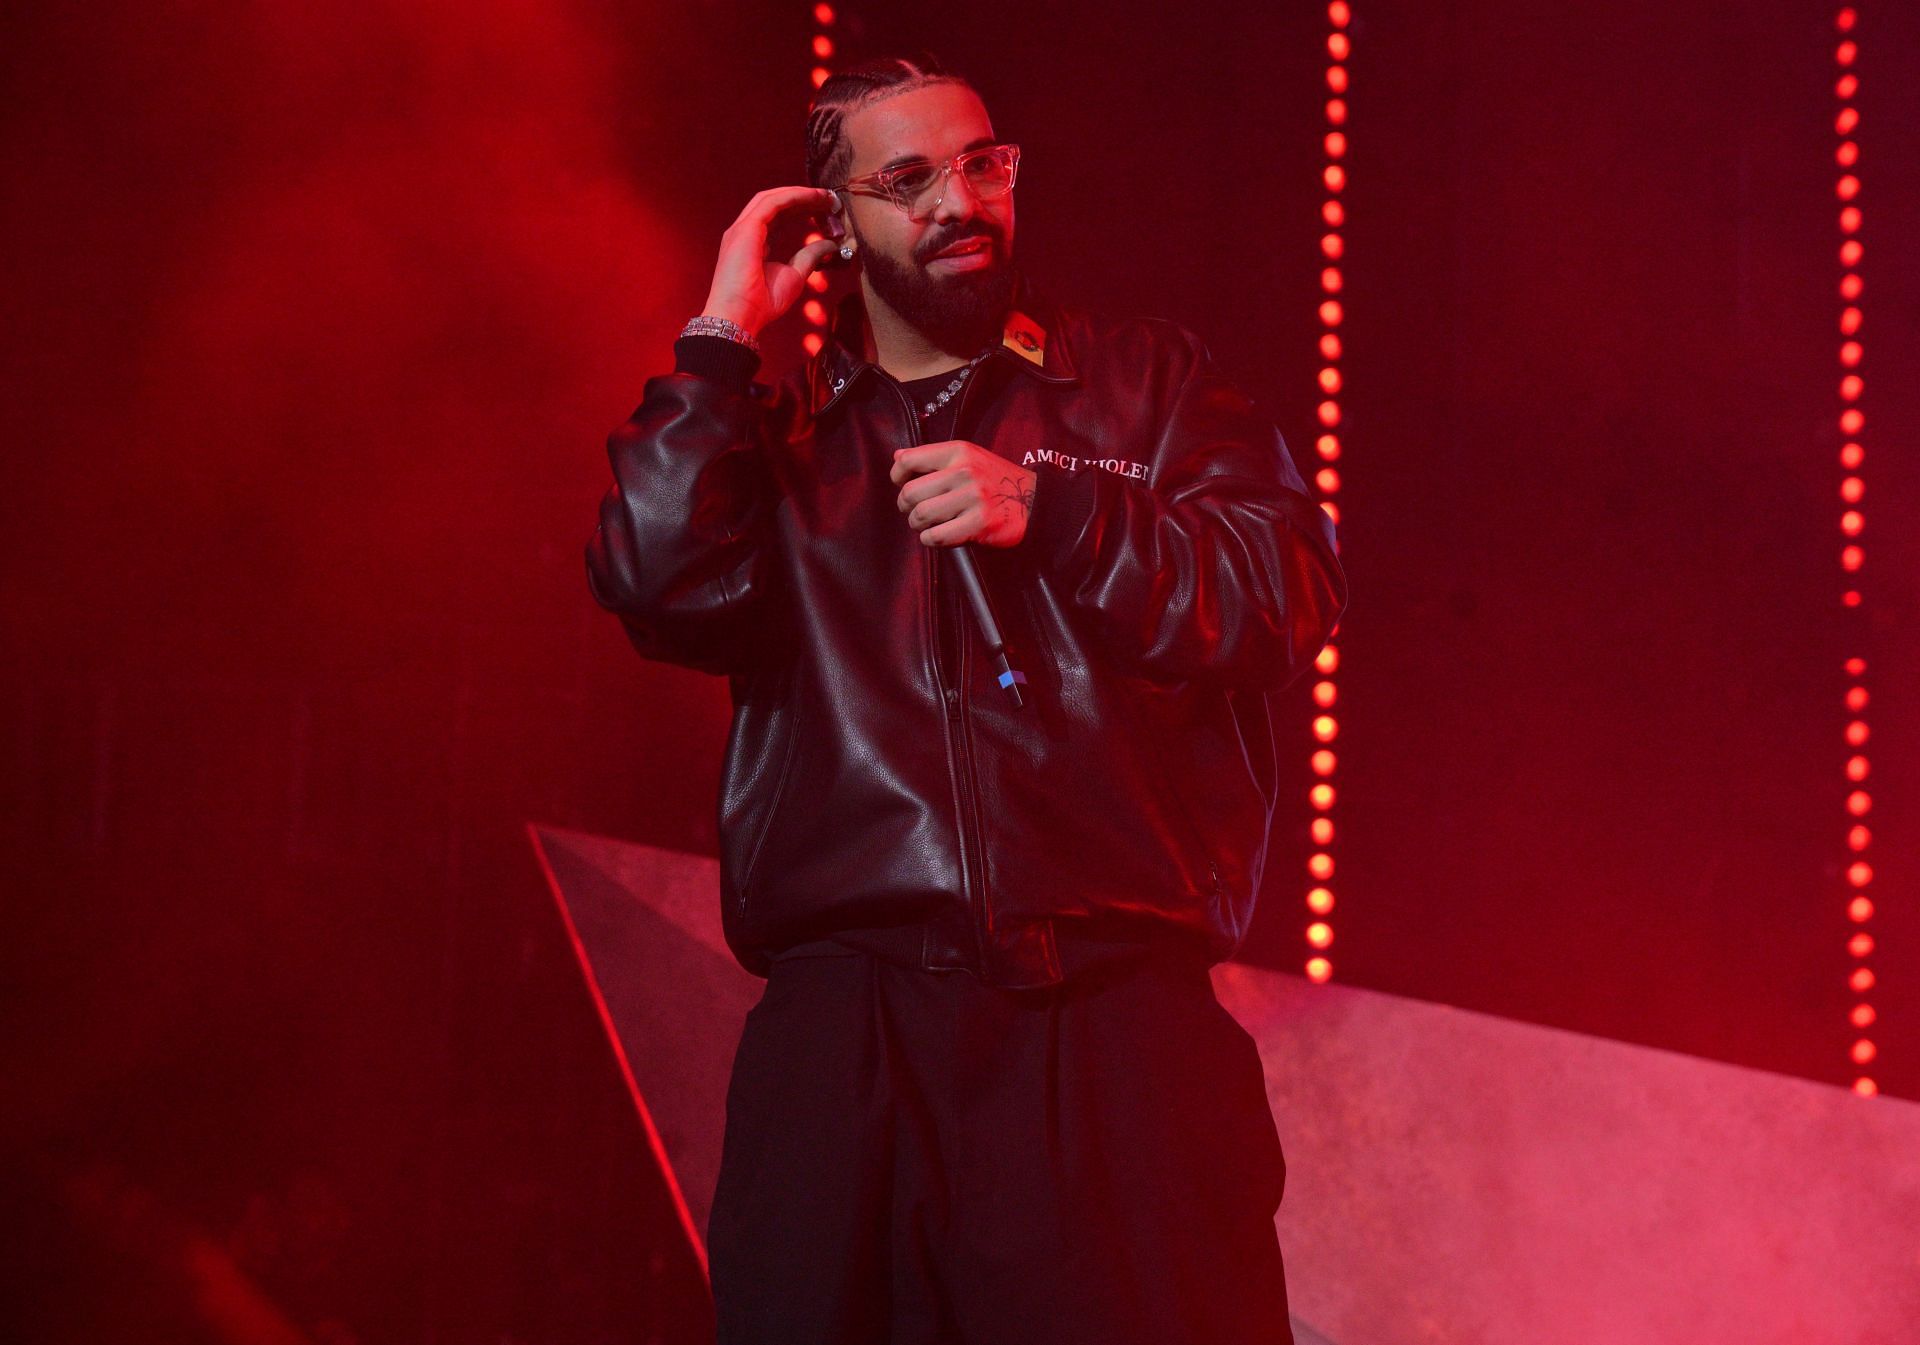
913,1158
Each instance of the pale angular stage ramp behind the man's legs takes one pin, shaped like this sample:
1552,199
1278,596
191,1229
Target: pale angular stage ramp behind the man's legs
1452,1179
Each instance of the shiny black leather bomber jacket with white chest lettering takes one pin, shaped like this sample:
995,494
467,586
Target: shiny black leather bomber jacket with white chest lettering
1172,578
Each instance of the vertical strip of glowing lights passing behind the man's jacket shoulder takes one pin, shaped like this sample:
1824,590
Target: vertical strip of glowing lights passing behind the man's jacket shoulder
1328,481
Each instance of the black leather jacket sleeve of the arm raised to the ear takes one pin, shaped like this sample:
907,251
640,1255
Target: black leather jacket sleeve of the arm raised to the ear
679,554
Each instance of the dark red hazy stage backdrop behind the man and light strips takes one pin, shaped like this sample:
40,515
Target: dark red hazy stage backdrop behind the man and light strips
320,321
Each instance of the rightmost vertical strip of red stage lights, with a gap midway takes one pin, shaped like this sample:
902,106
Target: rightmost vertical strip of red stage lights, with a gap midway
1852,555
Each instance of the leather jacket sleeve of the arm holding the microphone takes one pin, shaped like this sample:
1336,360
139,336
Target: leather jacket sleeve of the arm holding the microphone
1222,569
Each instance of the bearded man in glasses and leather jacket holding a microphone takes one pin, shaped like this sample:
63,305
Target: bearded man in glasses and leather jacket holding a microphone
988,1095
